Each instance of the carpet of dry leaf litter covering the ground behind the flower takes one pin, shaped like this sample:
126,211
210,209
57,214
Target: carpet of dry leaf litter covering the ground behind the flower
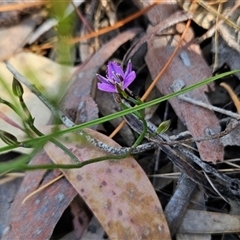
118,193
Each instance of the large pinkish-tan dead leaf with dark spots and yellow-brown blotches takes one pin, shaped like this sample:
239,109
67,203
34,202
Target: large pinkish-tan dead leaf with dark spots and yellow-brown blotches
117,191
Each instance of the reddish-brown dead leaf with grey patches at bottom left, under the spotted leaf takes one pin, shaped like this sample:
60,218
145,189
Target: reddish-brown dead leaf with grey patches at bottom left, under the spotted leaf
38,216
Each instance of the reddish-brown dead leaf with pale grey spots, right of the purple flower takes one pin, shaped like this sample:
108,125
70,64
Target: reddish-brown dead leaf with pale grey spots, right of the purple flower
190,115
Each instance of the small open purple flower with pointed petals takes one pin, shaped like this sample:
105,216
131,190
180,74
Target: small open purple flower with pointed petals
116,76
